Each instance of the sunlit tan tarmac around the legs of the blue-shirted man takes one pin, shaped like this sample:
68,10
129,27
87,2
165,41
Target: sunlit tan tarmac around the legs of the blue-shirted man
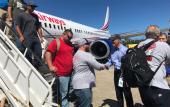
104,93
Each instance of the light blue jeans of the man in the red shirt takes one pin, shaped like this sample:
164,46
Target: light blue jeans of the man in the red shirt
63,87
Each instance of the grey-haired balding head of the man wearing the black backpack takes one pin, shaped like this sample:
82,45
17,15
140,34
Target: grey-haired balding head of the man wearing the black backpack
152,31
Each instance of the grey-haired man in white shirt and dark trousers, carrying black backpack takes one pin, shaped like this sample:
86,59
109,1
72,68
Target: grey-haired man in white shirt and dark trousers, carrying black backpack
157,94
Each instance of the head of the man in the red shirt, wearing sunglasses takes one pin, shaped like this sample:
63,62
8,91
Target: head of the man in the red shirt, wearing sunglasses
67,35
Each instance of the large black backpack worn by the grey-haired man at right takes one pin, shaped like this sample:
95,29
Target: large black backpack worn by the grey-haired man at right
135,68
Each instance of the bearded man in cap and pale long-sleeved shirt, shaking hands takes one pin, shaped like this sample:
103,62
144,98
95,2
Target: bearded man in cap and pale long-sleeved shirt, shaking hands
83,78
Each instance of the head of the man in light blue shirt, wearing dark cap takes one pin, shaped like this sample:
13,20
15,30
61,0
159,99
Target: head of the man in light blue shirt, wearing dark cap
116,40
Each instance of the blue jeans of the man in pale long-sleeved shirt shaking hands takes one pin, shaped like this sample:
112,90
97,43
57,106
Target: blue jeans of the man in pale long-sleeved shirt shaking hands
84,97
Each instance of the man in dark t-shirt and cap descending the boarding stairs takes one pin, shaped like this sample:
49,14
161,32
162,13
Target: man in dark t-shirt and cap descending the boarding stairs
27,26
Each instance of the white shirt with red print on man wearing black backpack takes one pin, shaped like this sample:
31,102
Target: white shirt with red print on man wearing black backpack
157,53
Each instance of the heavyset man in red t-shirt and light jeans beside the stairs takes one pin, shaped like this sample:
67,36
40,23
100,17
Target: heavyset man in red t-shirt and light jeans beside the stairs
62,63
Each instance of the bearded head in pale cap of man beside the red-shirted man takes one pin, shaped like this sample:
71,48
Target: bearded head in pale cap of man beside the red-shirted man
83,44
